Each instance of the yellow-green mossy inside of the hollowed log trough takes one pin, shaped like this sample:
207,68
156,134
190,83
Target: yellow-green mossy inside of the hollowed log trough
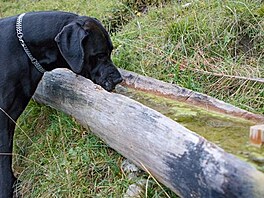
228,132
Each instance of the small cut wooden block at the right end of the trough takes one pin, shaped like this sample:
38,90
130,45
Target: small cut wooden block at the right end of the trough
256,135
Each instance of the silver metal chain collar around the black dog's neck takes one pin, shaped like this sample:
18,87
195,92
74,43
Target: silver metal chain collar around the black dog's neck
23,44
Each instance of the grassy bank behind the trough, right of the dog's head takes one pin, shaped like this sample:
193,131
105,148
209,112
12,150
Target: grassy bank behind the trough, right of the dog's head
188,46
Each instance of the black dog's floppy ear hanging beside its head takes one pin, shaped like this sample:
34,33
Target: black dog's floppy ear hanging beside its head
69,41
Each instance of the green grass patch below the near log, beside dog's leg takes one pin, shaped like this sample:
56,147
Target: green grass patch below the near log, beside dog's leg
56,157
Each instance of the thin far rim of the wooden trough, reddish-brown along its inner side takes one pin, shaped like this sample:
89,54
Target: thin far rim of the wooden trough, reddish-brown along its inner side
182,94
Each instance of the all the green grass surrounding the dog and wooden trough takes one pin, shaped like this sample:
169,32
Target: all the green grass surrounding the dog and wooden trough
198,47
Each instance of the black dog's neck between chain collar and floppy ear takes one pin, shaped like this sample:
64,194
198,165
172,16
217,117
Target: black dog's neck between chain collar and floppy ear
40,40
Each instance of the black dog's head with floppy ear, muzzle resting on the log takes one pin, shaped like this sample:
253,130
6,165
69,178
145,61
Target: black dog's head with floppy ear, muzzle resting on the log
86,47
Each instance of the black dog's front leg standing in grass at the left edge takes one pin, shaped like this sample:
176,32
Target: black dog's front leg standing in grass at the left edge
7,178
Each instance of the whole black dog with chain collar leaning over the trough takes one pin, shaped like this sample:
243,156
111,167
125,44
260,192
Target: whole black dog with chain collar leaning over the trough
54,39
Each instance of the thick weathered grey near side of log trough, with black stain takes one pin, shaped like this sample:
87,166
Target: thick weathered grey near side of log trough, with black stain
182,160
